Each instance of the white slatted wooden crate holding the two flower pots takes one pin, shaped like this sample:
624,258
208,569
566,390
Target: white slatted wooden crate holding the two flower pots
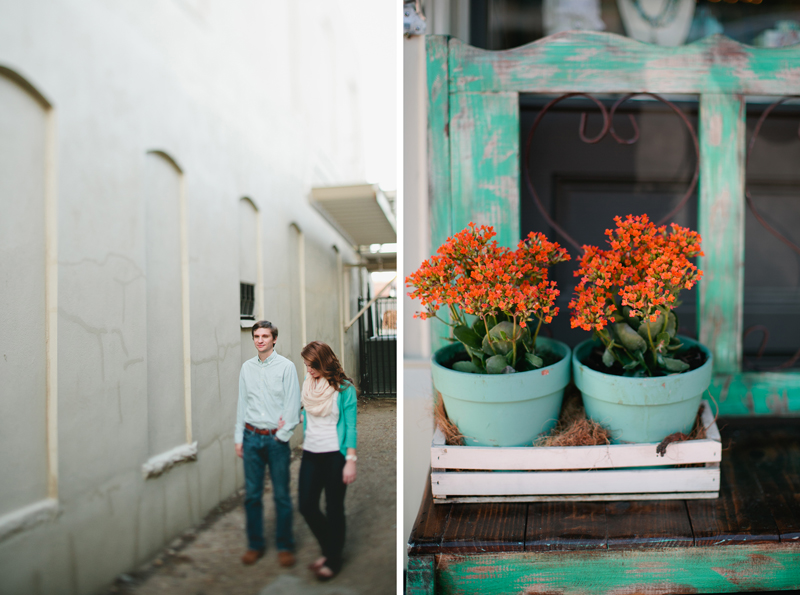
612,472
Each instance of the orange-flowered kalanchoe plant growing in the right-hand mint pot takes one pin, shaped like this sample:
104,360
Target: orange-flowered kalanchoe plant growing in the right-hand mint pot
627,293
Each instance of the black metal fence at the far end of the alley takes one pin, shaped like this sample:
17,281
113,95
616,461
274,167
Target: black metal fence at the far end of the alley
378,347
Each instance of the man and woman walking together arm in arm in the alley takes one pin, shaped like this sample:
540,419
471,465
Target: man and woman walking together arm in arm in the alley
267,413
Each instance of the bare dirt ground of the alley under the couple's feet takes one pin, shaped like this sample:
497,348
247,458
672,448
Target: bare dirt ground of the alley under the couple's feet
206,559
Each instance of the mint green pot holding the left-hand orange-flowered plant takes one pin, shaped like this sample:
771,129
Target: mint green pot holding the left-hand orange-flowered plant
503,409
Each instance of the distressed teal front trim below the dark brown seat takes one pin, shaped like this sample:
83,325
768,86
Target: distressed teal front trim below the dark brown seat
721,569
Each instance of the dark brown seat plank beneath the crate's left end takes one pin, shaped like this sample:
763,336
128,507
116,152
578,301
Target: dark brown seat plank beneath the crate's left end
485,528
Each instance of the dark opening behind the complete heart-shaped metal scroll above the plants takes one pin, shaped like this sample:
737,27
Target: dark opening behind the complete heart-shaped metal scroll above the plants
583,186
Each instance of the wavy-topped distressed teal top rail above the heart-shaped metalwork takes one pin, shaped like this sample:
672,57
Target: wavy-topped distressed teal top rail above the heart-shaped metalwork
593,62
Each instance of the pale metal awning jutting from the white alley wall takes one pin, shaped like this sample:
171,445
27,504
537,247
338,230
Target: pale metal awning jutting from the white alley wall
361,213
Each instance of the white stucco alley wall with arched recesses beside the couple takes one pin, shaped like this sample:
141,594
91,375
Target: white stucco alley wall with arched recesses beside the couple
234,94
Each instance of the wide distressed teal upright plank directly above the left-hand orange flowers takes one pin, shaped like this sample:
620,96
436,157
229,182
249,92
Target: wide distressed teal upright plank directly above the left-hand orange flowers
484,150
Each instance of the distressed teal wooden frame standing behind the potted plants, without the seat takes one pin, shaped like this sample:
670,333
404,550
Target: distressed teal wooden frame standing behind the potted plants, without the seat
474,153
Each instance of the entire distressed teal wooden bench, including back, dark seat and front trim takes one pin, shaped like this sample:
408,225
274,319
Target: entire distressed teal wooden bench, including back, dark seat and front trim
749,538
